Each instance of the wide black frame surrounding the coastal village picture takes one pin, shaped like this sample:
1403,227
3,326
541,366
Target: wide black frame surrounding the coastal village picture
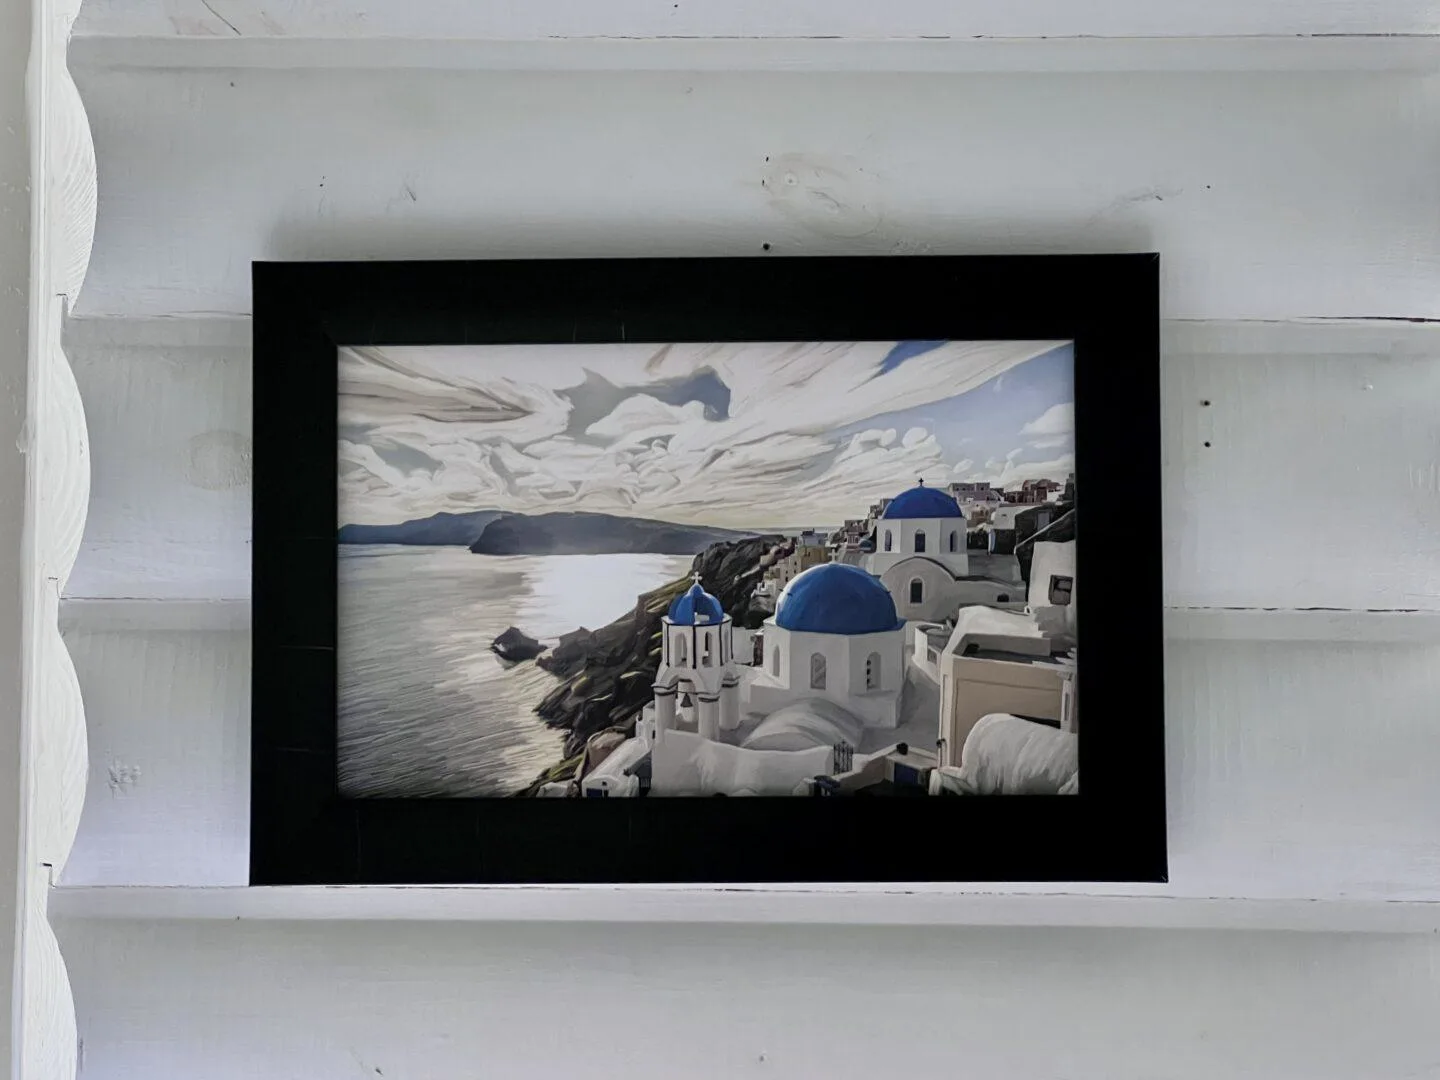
303,833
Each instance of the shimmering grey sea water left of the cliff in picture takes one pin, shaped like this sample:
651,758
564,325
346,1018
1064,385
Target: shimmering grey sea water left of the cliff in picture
426,709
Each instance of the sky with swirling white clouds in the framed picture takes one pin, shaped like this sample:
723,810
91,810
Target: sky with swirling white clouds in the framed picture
741,436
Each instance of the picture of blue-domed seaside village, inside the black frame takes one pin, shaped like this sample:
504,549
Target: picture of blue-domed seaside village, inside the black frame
657,571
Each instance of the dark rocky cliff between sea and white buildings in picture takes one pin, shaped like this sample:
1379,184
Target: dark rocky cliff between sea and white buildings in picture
608,673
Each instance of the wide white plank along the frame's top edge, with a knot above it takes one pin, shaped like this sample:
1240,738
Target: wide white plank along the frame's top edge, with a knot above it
1269,197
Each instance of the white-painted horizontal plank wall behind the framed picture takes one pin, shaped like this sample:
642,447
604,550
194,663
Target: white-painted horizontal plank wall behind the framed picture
1288,176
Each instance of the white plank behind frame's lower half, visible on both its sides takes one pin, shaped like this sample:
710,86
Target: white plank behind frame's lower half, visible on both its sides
1254,731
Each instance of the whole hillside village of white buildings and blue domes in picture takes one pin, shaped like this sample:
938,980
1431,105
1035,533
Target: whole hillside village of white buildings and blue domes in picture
925,649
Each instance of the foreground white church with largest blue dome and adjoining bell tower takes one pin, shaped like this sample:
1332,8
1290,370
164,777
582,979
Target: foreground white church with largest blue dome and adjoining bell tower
833,676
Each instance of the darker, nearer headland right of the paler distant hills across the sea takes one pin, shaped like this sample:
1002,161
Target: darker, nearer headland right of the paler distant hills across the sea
582,534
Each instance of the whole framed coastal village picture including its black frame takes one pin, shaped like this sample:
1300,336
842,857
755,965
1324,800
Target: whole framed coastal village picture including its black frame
724,571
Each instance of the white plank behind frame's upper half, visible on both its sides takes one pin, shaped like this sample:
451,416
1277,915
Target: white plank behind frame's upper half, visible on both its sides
1301,466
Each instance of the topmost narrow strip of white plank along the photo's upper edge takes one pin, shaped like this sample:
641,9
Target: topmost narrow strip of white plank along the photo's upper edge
750,19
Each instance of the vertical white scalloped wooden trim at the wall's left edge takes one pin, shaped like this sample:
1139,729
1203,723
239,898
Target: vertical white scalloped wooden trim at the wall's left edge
55,765
